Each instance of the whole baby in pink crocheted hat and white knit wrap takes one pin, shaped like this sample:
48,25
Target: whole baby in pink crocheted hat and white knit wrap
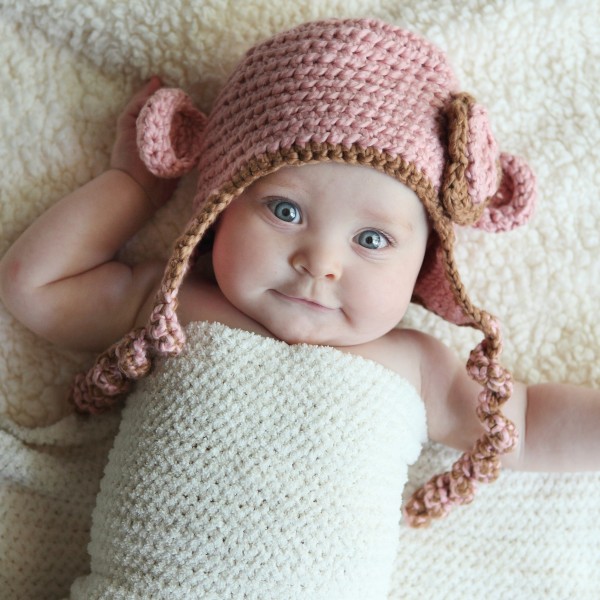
264,448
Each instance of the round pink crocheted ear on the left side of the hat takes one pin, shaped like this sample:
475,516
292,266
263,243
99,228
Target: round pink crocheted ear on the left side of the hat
169,133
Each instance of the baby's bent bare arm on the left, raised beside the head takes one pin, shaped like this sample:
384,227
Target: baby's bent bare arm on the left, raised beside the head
61,278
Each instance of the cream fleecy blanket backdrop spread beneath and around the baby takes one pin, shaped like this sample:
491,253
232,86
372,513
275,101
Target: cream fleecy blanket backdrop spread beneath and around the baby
66,69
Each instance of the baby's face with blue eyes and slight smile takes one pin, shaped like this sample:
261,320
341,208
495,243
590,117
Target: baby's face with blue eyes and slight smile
322,254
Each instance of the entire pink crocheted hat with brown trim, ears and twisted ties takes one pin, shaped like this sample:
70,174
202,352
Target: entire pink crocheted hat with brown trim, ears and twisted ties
361,92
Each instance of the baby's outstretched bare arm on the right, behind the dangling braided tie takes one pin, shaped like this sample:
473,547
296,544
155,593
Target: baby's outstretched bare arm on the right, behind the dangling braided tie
558,424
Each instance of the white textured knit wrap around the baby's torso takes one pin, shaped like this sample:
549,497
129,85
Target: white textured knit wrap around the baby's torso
247,468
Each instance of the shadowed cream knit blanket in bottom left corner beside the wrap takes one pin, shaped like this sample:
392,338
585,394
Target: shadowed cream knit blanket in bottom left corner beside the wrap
49,478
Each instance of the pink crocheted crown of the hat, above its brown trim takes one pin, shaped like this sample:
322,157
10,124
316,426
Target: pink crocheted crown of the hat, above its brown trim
353,83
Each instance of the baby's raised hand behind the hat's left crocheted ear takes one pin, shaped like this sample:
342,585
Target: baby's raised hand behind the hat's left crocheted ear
125,155
